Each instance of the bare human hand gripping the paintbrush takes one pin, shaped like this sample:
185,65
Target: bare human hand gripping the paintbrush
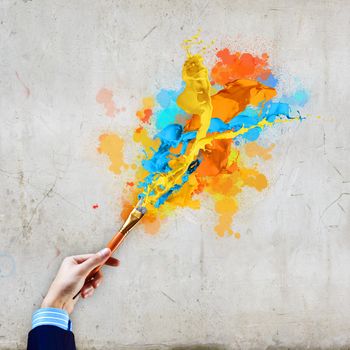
71,278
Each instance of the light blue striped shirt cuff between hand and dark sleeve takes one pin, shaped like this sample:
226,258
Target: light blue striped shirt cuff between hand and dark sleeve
50,316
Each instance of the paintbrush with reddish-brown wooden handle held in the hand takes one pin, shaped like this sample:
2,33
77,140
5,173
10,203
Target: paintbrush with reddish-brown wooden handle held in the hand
134,217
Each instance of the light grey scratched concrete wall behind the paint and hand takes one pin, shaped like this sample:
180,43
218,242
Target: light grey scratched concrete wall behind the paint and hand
285,283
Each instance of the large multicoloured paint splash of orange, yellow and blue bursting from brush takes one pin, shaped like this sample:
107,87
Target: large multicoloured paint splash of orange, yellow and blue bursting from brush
206,131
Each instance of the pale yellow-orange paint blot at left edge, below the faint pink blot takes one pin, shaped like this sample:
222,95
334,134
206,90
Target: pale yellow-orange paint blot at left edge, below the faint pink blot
112,145
